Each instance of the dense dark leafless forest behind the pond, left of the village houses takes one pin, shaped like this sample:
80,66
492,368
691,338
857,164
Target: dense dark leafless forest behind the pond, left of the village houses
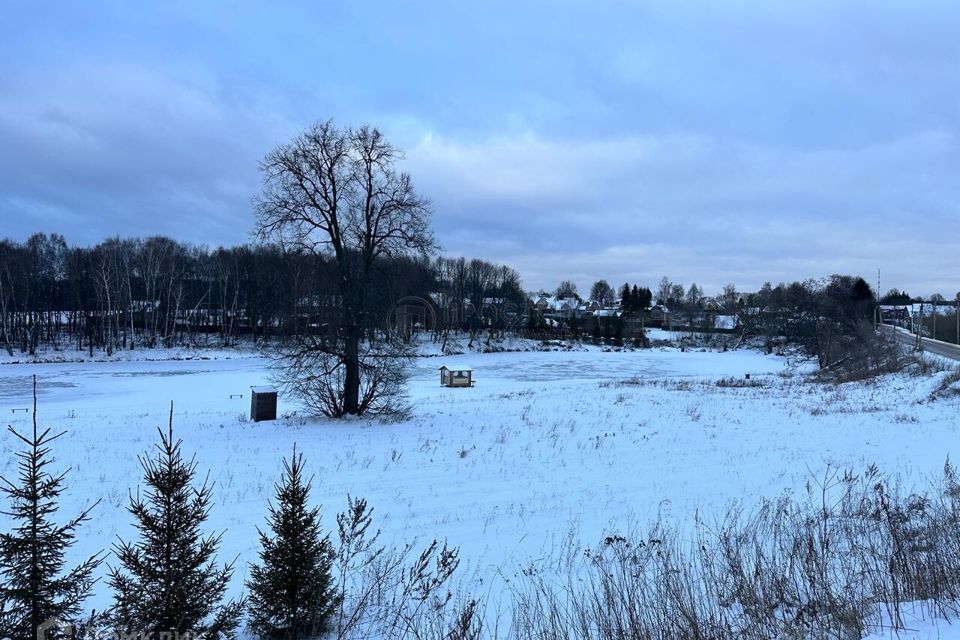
131,293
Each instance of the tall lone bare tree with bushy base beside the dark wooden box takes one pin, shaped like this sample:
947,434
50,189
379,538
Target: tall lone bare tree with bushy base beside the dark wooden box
336,192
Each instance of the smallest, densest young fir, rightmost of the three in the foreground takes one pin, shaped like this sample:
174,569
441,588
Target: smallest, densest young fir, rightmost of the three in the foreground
291,592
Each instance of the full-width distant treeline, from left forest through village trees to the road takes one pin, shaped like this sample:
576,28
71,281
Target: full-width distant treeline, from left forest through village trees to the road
157,292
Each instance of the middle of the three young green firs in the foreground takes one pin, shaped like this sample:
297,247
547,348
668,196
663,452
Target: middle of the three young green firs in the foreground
168,581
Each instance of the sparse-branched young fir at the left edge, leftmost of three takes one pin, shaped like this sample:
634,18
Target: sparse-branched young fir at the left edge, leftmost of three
34,587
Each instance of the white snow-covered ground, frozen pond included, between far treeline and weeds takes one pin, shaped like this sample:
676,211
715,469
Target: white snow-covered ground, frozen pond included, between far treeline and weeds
546,443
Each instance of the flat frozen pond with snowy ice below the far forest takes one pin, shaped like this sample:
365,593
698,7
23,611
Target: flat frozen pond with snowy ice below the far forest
197,386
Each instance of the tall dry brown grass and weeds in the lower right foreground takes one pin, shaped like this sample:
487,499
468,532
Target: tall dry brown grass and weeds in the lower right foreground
827,565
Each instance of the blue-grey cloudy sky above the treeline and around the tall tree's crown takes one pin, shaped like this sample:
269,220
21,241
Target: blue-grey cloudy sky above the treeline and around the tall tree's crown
712,142
